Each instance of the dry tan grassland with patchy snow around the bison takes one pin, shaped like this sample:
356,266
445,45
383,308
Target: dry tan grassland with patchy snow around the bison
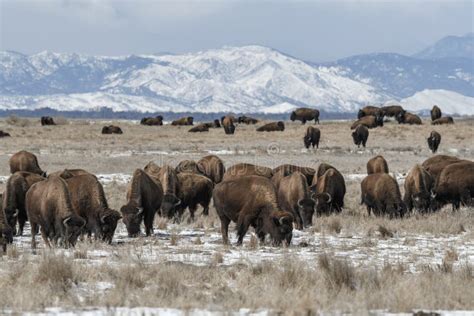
344,263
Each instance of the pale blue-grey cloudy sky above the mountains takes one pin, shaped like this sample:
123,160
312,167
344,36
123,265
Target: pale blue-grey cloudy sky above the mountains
311,30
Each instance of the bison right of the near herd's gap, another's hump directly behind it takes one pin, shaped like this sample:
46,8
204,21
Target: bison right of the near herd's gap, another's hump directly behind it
381,194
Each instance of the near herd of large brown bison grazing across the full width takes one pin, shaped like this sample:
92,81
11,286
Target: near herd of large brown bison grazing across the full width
69,203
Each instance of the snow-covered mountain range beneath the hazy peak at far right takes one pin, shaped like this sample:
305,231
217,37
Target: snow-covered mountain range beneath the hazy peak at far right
232,79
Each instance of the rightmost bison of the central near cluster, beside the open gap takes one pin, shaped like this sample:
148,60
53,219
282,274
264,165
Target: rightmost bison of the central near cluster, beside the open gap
330,190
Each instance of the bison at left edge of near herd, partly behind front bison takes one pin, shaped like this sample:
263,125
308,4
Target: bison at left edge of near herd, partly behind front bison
14,198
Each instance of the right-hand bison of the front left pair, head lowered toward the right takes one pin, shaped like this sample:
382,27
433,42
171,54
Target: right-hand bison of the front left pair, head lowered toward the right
89,202
